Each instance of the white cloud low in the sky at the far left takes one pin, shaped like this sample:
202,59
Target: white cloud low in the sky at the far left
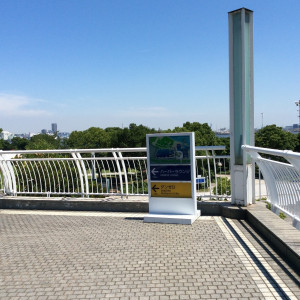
21,106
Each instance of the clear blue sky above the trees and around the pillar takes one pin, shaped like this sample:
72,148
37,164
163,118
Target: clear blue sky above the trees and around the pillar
160,63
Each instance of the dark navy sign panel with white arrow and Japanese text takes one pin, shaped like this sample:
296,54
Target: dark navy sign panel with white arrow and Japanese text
170,173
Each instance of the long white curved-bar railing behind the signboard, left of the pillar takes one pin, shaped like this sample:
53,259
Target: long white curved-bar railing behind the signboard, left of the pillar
100,172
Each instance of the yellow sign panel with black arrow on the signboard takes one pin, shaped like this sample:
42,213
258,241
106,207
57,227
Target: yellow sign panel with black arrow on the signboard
171,189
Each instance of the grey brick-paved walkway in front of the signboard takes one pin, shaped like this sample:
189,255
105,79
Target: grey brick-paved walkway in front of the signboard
92,255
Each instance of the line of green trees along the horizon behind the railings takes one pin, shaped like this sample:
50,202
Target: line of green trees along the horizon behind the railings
134,136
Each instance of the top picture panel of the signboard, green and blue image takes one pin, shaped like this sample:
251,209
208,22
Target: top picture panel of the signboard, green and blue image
170,149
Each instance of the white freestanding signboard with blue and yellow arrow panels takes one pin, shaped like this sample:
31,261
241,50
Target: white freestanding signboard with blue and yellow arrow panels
171,175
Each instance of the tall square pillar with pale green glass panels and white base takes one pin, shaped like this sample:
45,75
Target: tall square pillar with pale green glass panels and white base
241,104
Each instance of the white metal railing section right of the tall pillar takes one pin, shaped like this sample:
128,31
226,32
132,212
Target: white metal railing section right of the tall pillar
281,172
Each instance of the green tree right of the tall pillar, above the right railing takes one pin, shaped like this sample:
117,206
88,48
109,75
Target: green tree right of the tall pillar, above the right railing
274,137
